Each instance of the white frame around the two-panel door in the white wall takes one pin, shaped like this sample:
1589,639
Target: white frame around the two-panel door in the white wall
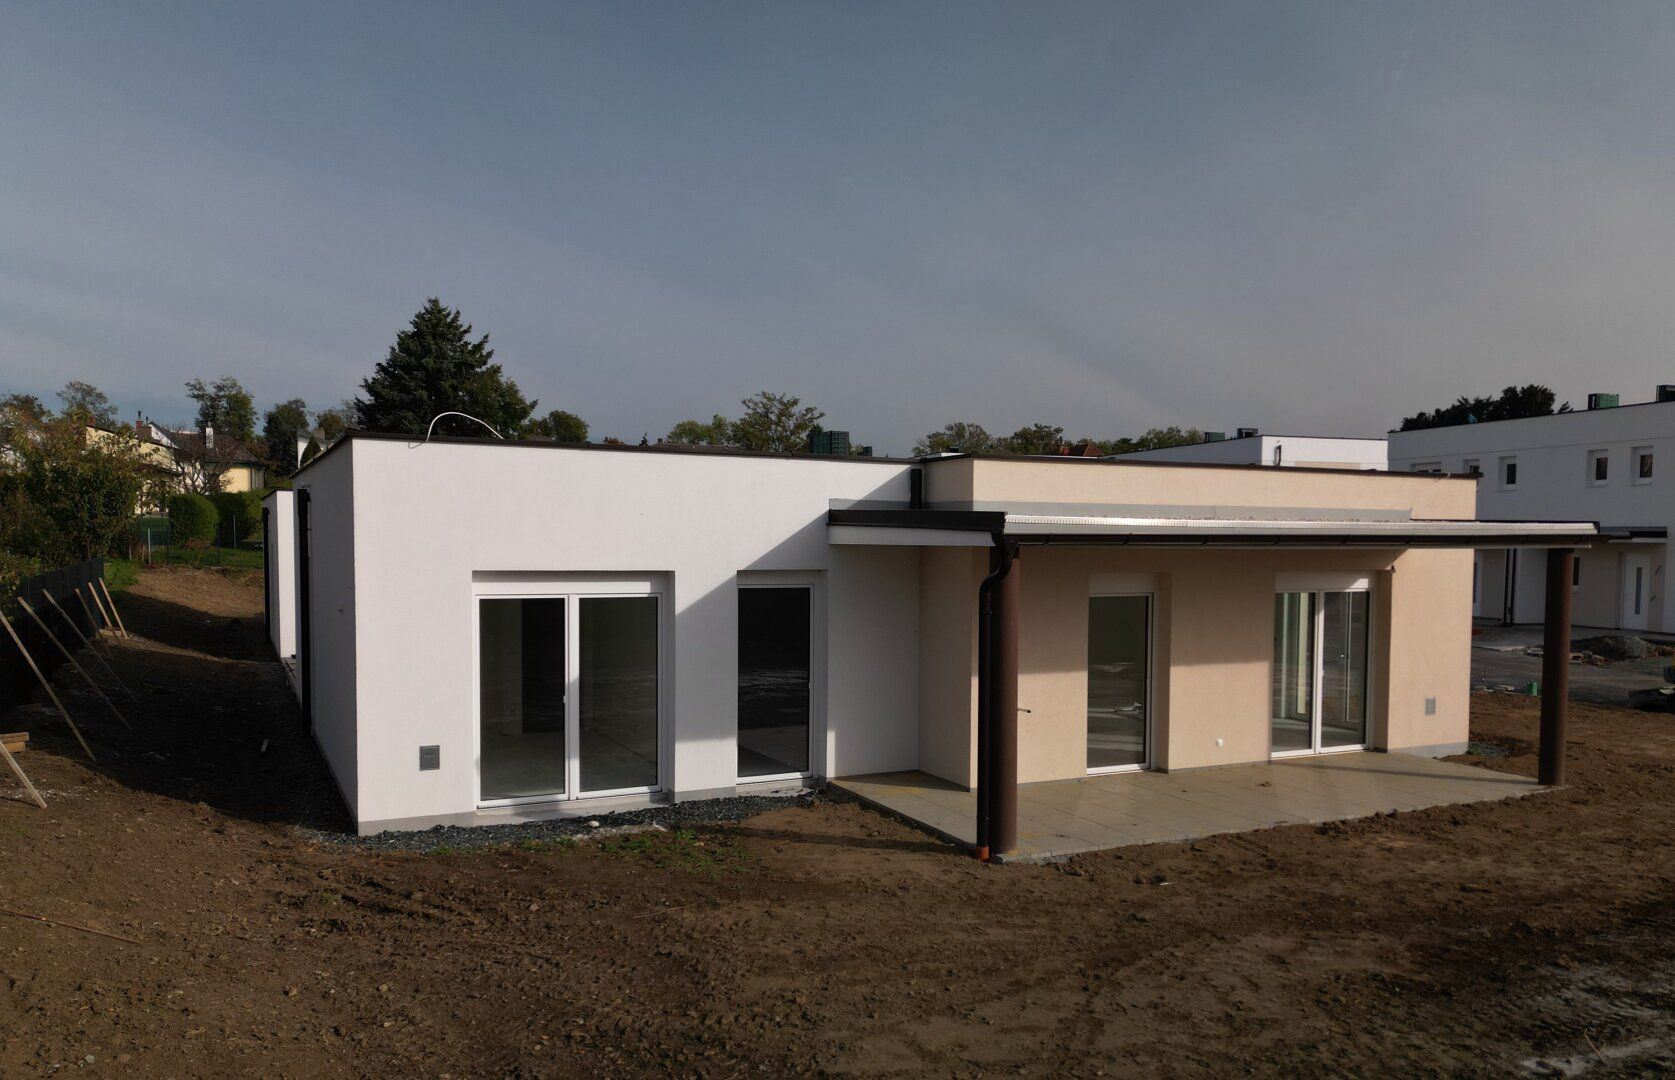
574,589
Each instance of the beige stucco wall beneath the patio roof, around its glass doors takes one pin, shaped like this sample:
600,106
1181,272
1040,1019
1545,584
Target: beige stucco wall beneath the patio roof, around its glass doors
1212,654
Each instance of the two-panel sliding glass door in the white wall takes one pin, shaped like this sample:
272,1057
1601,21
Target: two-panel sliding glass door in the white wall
569,696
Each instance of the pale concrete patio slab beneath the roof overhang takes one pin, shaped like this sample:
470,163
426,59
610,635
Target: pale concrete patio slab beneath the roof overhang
1066,818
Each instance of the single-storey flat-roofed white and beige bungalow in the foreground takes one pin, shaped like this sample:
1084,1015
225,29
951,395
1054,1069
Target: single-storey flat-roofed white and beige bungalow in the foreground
490,632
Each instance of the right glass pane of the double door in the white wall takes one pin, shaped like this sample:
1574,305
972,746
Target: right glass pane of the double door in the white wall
619,692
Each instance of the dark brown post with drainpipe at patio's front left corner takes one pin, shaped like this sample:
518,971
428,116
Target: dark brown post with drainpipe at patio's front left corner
997,704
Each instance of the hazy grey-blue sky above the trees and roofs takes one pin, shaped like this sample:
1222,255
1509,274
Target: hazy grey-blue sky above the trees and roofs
1301,217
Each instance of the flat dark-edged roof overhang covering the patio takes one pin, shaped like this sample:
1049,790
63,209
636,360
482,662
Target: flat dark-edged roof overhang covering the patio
961,528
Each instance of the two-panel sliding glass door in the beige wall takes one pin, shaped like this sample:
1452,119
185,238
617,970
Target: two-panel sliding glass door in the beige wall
1321,661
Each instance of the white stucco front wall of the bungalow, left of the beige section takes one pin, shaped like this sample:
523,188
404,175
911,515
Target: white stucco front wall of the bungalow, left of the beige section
431,518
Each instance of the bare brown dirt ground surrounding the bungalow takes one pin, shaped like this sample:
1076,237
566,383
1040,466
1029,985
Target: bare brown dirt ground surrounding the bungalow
1510,939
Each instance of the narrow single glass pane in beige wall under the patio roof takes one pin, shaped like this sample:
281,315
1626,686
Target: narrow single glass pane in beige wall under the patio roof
1118,681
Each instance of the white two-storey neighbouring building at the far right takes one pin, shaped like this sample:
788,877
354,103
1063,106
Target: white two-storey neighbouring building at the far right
1600,465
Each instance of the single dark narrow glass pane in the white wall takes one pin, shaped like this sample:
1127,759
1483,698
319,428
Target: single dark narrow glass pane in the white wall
775,681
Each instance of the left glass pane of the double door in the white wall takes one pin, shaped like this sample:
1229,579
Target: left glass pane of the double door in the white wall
522,684
